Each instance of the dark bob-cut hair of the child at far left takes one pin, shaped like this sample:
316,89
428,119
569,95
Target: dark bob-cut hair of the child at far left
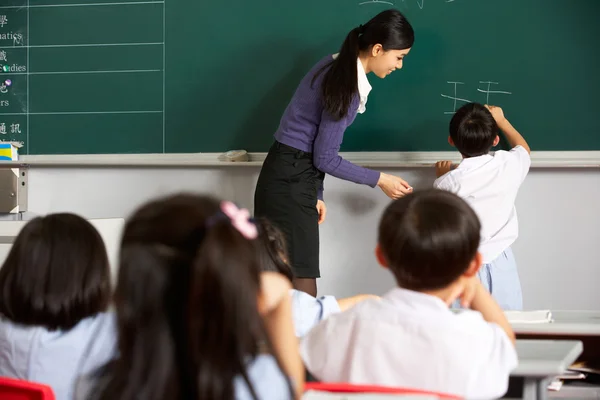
56,273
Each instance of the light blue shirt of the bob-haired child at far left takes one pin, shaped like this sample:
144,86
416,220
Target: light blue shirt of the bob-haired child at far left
57,358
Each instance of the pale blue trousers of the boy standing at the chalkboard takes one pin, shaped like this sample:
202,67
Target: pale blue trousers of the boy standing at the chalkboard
501,279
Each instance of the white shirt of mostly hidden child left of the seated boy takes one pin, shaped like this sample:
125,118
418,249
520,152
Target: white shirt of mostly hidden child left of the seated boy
308,311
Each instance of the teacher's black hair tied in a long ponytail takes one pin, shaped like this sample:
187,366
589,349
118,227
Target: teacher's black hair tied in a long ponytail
390,29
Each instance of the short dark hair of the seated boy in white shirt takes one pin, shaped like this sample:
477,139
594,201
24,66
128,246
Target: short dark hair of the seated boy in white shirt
429,238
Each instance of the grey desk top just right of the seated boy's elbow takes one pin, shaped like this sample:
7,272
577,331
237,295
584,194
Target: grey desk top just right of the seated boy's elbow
545,358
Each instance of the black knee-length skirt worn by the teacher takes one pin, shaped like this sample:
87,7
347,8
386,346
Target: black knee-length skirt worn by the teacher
286,194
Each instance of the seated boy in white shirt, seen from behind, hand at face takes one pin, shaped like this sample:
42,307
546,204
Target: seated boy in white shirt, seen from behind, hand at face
410,338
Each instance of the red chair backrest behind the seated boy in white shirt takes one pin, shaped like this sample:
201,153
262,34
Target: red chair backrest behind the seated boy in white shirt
346,388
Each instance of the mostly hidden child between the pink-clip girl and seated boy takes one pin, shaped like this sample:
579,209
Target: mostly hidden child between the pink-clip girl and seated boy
307,310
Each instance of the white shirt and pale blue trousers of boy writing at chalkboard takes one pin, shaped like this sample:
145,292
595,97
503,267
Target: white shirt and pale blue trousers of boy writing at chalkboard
490,184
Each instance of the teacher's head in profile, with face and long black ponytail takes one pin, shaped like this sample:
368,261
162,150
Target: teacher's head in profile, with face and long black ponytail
381,43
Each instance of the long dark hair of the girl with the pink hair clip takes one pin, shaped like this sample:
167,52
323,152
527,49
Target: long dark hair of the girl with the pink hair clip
186,301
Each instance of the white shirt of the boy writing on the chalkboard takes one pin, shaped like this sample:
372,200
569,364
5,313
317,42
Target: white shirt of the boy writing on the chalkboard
490,183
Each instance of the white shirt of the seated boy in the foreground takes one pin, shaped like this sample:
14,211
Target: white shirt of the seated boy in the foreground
411,339
